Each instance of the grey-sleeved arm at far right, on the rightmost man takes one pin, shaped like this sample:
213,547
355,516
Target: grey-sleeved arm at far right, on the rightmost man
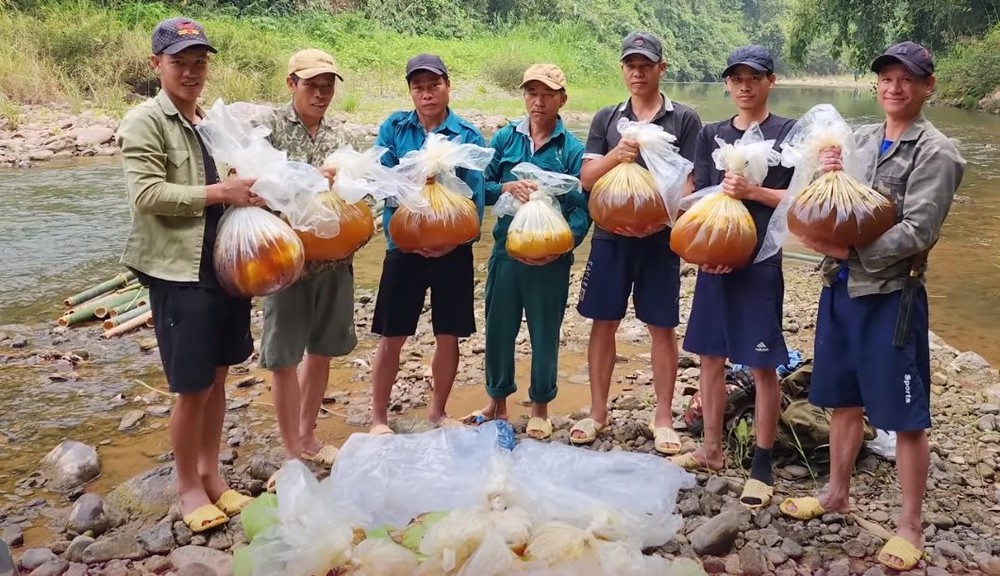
930,190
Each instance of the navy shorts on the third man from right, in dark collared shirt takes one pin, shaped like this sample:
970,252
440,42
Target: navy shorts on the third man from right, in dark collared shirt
646,268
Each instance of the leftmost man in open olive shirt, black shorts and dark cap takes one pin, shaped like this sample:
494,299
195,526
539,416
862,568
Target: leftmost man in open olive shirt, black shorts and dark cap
176,203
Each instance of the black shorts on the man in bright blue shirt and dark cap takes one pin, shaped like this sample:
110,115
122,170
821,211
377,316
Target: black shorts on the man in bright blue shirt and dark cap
403,287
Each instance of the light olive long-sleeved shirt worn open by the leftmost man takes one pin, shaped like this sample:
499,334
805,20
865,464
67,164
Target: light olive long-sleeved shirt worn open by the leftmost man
165,179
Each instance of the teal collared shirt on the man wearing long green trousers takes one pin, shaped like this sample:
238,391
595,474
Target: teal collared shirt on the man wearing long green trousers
562,153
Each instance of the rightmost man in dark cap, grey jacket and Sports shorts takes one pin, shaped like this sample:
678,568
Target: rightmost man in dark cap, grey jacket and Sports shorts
872,352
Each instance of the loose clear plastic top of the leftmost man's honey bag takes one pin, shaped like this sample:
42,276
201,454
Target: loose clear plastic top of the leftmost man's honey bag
288,187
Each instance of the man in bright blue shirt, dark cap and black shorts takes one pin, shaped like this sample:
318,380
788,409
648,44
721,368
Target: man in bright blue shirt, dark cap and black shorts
406,277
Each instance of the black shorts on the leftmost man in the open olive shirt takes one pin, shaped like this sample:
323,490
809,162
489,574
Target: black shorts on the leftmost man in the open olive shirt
197,330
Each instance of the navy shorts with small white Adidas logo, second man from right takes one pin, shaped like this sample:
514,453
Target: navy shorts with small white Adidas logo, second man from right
738,316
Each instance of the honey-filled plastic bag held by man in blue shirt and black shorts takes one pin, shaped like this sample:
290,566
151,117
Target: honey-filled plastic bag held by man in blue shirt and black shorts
443,214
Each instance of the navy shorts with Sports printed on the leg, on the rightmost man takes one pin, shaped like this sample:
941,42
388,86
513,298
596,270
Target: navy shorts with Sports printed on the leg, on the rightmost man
856,363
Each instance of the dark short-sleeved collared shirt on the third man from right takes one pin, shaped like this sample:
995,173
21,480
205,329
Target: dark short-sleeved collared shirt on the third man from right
677,119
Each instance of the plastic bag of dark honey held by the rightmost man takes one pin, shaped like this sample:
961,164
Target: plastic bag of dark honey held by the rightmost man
836,206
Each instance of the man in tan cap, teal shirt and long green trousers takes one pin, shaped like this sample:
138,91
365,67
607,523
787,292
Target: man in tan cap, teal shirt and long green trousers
538,288
